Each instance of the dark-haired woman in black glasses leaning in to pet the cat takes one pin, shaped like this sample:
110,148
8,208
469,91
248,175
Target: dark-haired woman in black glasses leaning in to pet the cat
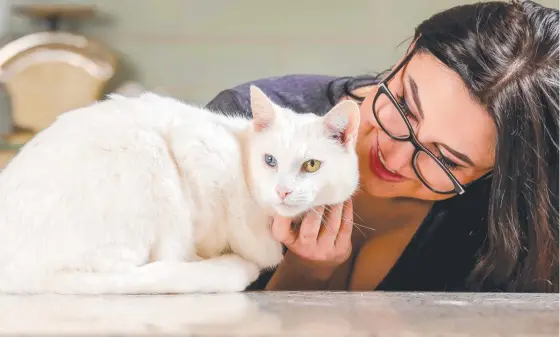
458,149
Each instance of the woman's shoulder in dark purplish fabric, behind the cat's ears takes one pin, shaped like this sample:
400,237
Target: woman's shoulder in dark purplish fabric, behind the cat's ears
300,92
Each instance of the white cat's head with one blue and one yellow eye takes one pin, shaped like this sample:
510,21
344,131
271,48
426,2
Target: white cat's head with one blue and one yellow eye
299,161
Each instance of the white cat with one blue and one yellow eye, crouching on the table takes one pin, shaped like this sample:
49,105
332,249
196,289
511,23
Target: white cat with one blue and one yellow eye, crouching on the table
150,195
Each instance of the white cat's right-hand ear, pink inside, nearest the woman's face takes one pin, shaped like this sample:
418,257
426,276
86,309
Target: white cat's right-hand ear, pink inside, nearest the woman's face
342,122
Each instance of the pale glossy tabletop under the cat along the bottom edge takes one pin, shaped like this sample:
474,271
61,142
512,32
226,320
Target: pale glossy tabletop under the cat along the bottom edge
293,314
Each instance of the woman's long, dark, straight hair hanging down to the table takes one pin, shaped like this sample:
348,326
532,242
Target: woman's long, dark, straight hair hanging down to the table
508,56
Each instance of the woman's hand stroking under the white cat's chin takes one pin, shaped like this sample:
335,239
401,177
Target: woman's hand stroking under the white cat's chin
319,245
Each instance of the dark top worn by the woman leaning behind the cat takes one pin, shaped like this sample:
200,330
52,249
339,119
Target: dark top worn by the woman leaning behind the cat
444,250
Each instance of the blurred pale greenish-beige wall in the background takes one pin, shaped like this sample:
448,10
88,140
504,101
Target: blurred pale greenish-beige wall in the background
192,49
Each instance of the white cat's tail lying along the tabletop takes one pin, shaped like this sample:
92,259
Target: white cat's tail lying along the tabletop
227,273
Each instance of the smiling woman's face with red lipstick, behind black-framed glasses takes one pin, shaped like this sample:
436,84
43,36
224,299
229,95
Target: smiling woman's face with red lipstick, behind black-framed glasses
446,120
